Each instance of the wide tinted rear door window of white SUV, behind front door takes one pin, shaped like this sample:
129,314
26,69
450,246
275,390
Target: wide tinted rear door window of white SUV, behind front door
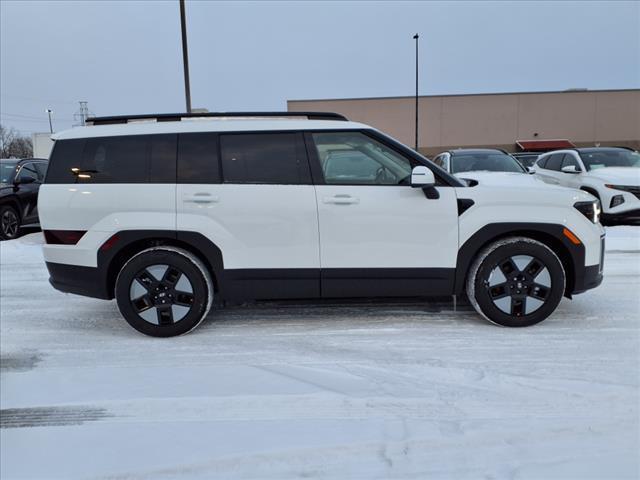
266,158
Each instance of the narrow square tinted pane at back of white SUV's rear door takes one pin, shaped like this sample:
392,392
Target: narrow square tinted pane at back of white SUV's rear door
198,160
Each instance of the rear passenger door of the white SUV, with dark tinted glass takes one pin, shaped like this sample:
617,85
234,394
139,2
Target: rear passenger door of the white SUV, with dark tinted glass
251,194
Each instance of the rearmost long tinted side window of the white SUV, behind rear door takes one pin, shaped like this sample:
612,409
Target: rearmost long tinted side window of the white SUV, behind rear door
121,159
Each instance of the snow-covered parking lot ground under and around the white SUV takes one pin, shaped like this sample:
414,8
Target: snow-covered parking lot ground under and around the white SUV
395,390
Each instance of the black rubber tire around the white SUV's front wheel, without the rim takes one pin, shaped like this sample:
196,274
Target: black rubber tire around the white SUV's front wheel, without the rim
515,248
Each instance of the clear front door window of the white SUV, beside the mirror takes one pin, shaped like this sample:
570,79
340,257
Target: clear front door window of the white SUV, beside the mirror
352,158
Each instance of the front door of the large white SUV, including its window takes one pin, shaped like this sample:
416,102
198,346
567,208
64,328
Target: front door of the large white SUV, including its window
378,235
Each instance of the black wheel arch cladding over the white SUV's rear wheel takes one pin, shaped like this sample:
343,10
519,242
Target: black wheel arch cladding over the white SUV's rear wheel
128,243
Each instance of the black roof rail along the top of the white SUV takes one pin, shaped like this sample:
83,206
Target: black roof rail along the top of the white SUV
176,117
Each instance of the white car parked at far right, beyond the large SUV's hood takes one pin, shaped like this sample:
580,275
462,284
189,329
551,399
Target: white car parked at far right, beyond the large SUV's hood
611,174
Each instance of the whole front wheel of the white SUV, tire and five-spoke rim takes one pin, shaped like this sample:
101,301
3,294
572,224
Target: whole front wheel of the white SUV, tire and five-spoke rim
516,282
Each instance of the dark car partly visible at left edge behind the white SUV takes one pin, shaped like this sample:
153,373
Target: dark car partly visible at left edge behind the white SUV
20,181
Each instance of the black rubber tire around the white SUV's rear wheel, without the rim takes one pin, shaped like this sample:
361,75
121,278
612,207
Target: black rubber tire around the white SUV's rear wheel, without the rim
187,267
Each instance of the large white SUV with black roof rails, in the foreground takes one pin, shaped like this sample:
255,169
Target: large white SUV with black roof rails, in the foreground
171,214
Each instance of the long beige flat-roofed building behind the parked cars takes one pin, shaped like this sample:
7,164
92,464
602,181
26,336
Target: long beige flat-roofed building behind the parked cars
586,118
